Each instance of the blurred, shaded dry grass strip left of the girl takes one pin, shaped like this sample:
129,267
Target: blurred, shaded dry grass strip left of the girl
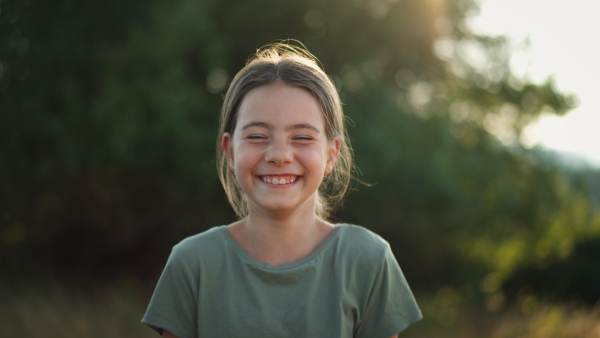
58,312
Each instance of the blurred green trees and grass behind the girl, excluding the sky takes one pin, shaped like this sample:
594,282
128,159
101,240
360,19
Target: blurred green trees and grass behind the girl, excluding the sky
108,118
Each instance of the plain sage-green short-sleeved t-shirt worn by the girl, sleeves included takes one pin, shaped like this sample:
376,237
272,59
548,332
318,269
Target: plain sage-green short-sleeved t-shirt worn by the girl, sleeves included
350,286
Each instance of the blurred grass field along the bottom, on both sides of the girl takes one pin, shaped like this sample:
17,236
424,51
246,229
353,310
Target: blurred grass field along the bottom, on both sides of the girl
59,312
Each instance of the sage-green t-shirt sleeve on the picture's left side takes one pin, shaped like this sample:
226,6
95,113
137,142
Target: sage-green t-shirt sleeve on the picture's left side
173,304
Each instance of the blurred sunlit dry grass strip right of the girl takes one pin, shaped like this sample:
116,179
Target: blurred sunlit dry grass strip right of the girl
524,319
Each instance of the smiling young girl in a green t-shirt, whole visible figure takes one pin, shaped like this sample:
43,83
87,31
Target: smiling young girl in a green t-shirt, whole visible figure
282,270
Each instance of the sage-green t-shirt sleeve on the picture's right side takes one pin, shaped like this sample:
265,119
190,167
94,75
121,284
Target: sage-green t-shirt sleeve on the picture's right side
391,306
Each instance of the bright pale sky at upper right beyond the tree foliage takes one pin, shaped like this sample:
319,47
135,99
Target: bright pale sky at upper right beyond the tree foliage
564,42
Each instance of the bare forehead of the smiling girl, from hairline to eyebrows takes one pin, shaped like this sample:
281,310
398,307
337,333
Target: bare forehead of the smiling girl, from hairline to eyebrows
280,104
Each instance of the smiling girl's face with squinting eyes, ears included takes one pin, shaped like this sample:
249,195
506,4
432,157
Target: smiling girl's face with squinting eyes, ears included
279,151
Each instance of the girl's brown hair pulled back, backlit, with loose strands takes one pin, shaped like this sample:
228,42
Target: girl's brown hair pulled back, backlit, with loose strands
292,65
